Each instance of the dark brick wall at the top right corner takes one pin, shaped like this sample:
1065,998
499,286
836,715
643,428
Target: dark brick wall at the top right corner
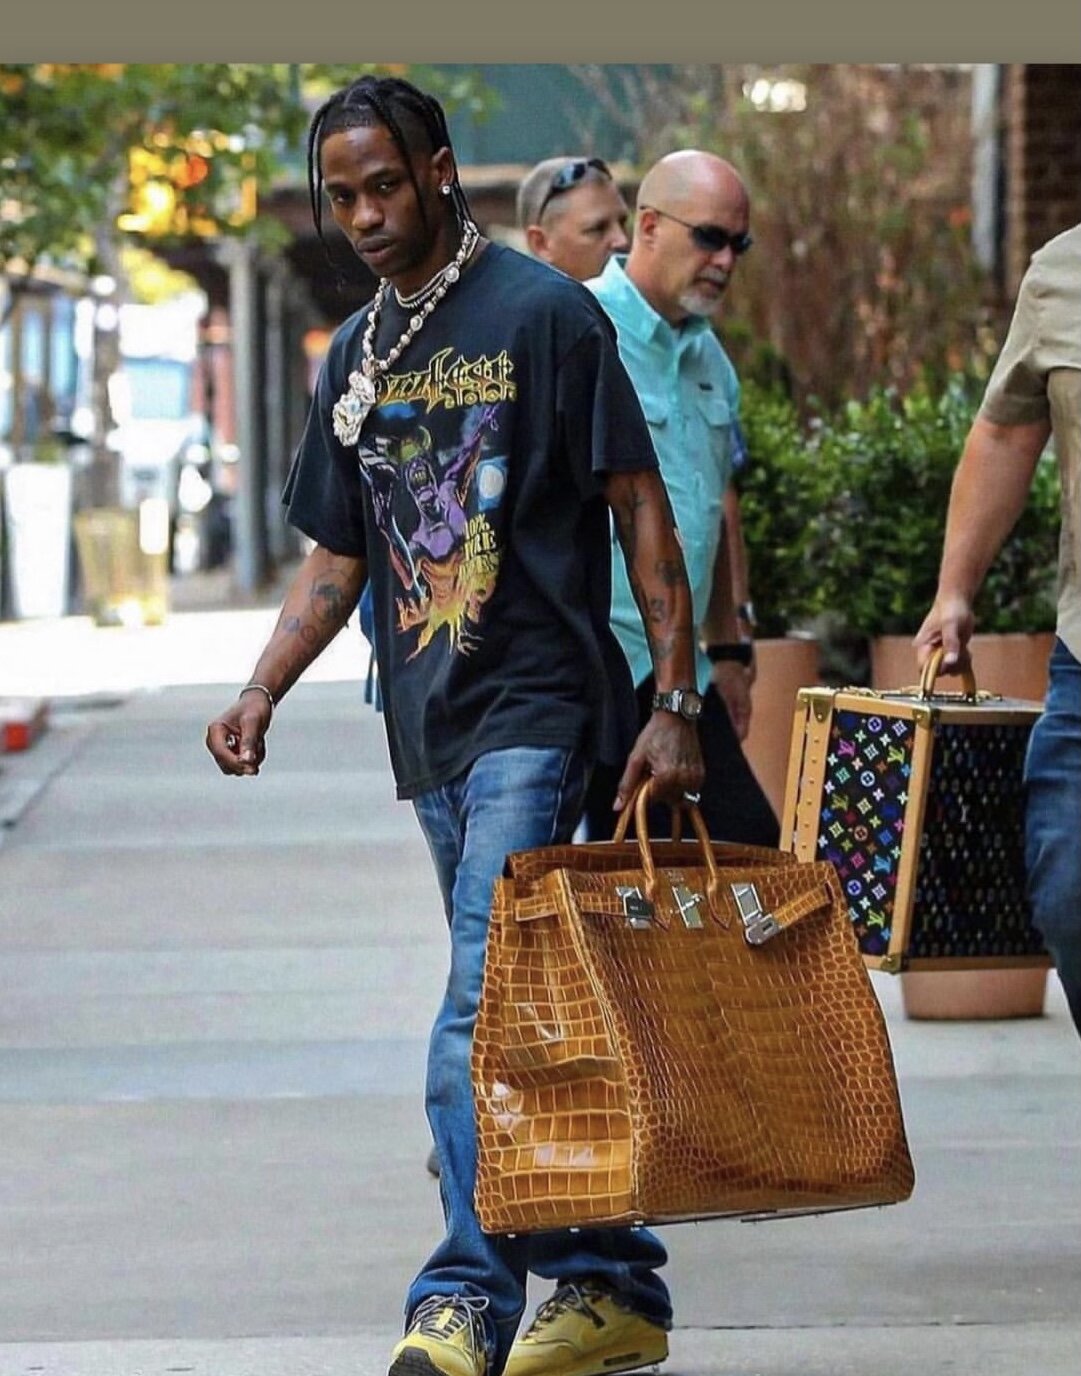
1042,108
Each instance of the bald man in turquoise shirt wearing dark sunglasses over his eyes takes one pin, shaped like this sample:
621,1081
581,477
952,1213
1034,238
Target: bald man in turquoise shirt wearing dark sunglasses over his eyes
691,230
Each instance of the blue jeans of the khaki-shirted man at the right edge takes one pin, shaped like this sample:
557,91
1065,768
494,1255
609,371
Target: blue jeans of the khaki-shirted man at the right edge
1053,855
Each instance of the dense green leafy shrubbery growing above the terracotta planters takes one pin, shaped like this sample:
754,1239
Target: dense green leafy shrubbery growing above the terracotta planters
845,515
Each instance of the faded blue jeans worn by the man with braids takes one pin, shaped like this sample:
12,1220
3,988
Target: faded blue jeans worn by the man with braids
508,800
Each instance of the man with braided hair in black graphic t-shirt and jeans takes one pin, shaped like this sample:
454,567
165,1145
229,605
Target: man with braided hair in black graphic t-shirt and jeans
504,683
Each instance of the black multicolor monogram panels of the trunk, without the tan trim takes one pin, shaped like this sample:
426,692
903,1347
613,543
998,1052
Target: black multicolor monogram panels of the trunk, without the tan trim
970,890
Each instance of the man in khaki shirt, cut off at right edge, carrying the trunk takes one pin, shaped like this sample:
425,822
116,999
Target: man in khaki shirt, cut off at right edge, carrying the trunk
1035,391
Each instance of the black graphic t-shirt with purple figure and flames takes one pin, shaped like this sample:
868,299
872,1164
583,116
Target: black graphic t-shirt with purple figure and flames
475,492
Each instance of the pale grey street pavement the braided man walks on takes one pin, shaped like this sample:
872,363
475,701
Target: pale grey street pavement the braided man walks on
215,997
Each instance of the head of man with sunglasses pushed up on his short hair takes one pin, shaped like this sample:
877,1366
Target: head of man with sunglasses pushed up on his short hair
573,215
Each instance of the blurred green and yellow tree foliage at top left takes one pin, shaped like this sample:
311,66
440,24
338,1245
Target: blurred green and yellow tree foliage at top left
72,136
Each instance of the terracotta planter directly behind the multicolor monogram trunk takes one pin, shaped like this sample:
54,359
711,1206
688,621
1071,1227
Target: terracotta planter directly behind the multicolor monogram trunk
1014,665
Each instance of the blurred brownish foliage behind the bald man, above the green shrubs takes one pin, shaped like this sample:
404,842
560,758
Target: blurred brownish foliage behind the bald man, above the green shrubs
863,272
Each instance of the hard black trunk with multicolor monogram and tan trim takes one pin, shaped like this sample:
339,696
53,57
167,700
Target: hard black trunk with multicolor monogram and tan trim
917,799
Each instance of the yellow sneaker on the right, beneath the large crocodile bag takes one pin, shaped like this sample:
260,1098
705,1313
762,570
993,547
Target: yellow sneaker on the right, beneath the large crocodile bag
585,1331
